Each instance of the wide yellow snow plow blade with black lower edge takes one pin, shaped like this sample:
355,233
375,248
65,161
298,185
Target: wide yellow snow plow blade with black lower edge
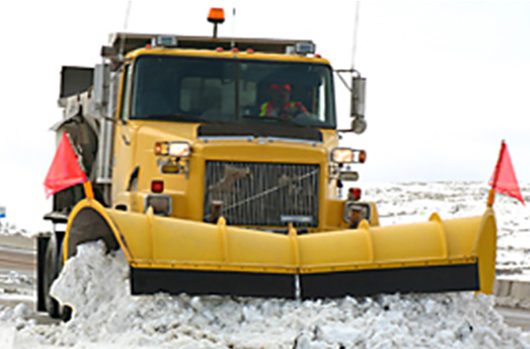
175,256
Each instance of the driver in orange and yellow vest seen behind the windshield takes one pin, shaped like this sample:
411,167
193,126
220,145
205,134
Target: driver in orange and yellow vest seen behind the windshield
280,105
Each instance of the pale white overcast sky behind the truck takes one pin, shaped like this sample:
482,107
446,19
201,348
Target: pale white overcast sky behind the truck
447,80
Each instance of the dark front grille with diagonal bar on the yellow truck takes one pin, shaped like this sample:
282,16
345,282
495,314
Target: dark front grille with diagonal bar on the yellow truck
264,194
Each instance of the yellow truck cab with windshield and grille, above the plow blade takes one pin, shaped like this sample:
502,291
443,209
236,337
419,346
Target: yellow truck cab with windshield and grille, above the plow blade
198,128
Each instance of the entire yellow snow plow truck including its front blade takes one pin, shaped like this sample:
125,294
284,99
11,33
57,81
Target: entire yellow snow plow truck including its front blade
215,167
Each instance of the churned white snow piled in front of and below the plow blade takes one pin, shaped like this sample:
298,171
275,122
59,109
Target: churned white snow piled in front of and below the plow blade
96,285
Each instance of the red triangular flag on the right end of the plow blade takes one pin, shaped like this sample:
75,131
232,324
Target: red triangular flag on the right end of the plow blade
503,180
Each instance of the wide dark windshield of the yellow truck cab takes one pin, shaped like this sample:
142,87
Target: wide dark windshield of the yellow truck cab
232,90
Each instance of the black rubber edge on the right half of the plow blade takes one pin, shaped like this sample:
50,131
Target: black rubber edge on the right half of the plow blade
446,278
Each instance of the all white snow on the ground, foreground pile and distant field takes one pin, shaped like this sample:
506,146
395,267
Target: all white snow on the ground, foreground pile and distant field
107,316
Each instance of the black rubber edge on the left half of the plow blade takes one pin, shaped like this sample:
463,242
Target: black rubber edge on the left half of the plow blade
198,282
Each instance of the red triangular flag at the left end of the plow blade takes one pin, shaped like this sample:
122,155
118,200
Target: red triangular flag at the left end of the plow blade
64,171
